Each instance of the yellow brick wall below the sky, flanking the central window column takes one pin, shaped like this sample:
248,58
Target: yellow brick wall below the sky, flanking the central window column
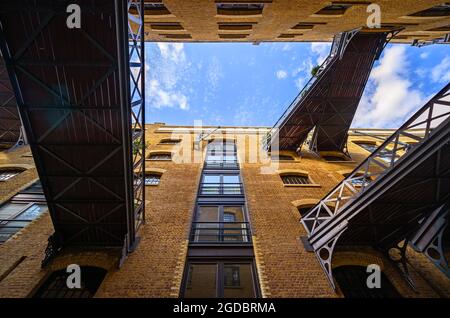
155,269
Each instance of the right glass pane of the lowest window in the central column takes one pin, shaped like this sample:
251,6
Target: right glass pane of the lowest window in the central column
238,281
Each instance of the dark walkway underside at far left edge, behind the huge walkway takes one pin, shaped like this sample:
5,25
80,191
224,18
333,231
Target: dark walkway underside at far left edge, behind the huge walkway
9,115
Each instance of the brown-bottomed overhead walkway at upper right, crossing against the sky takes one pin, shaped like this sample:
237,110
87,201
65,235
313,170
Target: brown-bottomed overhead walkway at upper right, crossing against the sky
329,100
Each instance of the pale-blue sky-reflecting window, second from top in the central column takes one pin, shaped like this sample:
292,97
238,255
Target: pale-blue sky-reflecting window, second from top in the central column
221,184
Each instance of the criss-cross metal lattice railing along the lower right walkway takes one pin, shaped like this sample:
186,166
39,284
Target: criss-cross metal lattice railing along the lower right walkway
432,116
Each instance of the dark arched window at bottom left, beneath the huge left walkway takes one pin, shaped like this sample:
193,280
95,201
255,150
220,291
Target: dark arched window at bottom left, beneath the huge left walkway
56,287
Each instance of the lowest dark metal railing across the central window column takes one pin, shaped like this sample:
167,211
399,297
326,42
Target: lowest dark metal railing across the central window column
220,232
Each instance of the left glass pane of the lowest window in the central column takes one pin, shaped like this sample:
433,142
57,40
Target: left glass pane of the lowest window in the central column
201,281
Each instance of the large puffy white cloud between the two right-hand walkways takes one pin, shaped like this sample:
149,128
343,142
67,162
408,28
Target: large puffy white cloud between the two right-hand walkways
389,99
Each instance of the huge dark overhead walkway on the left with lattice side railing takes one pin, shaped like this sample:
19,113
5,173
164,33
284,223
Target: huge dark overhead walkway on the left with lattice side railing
80,94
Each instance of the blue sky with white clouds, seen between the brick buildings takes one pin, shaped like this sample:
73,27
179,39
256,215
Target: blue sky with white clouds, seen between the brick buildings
246,84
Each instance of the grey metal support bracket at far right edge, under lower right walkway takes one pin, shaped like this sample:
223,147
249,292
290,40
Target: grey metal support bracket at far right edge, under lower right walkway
429,238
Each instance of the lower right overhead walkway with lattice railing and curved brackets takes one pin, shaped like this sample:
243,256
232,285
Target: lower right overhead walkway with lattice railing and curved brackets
386,199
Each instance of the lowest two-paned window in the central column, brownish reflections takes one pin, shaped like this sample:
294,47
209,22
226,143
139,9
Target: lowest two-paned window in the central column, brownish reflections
223,279
